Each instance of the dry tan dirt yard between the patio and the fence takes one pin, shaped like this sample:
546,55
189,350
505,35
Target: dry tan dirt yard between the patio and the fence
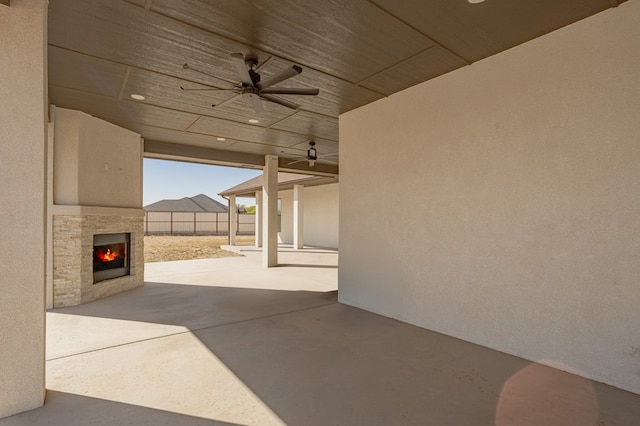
161,248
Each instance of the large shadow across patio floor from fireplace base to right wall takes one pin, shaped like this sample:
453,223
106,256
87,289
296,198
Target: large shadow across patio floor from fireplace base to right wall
314,361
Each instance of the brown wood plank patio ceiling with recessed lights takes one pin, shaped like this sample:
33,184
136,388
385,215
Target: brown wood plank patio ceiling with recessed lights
355,51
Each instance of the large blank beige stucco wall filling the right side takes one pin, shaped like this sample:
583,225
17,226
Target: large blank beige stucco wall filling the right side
507,201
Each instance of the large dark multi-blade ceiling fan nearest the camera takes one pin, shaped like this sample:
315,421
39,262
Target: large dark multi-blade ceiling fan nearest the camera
253,87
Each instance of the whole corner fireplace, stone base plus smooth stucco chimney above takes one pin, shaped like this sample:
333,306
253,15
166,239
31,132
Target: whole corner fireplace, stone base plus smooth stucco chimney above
95,177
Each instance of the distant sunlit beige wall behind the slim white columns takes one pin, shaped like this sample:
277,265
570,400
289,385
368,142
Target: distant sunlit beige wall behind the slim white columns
320,216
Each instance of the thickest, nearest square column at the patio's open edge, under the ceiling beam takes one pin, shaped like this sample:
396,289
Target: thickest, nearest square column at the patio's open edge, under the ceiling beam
270,211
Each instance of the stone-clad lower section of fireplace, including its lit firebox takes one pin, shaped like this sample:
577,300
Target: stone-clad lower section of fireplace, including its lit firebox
81,235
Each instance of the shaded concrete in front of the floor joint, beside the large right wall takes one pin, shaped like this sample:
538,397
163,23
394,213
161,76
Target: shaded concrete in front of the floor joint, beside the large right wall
341,365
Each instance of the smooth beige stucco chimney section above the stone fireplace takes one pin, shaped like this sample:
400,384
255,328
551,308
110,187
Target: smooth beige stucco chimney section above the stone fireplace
96,163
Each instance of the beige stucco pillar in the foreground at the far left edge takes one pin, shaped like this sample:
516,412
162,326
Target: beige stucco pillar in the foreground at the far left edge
22,204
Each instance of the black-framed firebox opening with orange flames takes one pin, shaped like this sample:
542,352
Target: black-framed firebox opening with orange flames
110,256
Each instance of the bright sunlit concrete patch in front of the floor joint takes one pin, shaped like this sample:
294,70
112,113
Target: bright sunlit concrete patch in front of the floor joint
175,373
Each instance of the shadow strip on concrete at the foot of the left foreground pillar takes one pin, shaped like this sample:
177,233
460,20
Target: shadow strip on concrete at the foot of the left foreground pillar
68,409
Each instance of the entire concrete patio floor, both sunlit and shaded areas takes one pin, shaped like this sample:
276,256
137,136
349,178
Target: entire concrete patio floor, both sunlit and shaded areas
226,342
